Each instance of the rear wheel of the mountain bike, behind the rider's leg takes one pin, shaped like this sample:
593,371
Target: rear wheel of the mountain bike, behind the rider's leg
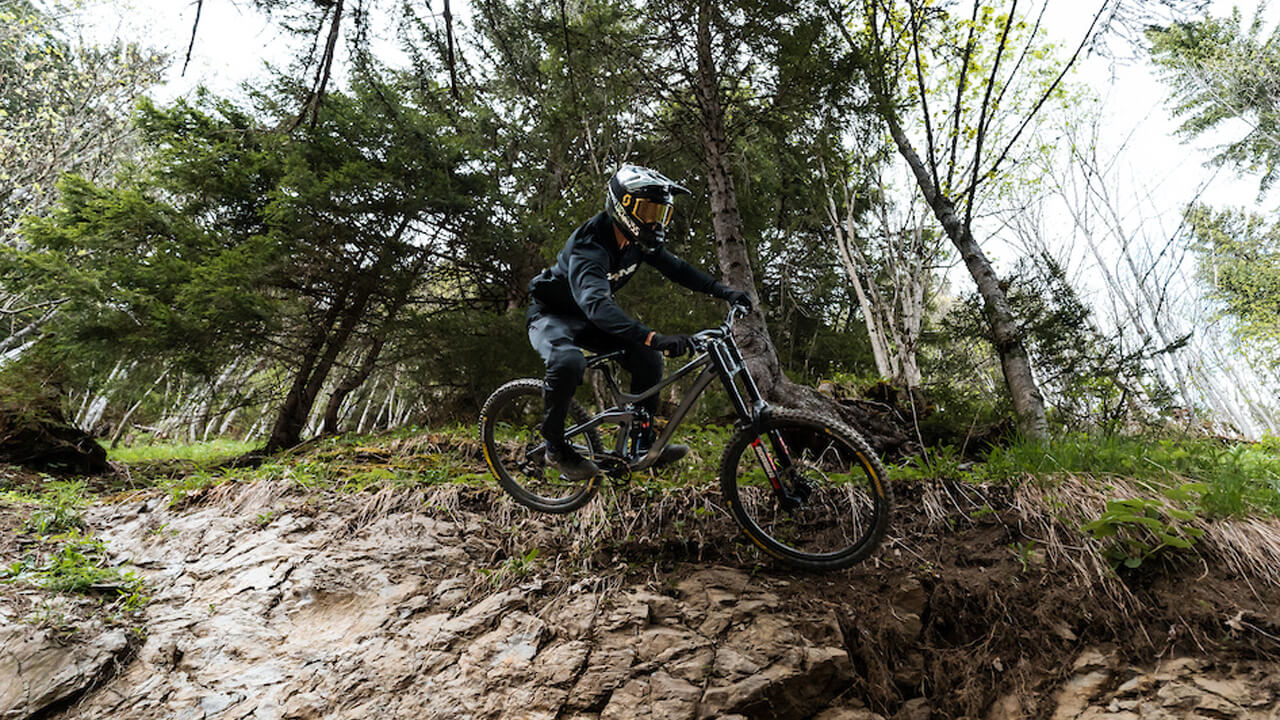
514,448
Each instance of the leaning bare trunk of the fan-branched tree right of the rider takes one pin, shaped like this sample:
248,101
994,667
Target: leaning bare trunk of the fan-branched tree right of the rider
1014,361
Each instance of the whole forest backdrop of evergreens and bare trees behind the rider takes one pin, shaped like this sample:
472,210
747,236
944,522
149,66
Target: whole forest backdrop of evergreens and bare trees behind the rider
344,243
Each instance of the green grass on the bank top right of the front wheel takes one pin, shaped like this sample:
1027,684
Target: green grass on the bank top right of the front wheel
1238,479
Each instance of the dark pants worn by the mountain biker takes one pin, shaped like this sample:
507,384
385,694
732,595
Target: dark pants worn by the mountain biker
560,340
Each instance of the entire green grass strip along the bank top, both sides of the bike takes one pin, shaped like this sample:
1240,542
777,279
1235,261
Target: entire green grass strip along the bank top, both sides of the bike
1238,479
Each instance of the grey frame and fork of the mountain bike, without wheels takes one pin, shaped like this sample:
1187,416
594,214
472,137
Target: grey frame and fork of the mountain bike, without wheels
721,358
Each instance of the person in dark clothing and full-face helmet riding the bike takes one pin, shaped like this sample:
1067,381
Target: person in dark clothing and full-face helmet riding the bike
573,307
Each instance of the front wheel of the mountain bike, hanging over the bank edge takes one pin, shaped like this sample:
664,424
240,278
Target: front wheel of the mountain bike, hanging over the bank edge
834,507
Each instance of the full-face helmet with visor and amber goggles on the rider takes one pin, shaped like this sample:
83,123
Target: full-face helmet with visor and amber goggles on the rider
641,203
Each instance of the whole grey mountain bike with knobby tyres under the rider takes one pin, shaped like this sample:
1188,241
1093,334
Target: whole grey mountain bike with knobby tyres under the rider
806,490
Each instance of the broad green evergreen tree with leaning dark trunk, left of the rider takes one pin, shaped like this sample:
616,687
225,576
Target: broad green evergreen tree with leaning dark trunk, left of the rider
236,239
